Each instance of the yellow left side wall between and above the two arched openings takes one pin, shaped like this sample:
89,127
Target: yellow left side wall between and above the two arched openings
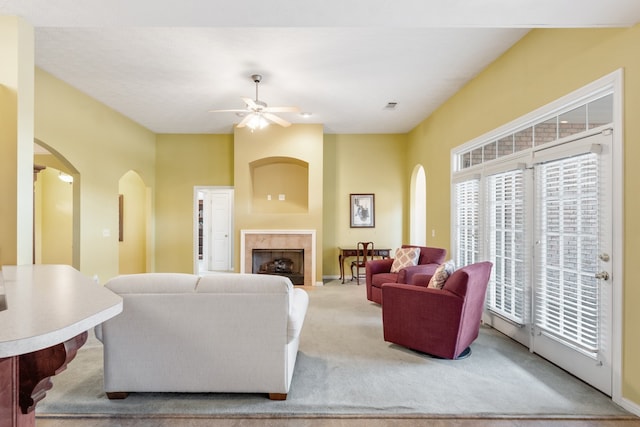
101,145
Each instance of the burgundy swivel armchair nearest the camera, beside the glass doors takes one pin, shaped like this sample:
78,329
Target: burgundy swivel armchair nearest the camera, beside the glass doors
440,322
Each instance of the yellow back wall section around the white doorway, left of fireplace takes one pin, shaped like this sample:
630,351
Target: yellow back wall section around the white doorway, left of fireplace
182,162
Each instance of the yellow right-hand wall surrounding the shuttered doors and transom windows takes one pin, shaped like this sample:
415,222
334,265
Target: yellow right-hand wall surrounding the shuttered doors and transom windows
545,65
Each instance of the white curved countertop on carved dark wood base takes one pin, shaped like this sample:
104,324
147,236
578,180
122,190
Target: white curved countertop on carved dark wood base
49,304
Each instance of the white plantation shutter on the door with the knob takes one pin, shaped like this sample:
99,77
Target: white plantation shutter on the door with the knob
567,234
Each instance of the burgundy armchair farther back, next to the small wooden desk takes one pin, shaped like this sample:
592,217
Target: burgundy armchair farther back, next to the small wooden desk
379,271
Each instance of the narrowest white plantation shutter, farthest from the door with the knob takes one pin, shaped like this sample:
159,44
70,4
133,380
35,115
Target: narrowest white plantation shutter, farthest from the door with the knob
467,199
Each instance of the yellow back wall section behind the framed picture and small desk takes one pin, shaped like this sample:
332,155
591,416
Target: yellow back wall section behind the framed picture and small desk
364,164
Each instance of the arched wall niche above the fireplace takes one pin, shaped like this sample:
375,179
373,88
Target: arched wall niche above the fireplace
279,185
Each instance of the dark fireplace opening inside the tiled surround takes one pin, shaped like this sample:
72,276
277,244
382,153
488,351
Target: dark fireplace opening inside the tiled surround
280,262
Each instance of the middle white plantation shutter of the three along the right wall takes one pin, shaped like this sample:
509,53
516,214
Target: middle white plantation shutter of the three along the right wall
507,239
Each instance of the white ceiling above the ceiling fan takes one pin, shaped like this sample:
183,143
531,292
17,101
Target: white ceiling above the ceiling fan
165,64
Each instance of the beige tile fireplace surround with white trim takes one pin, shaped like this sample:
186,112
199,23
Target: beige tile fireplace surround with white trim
280,239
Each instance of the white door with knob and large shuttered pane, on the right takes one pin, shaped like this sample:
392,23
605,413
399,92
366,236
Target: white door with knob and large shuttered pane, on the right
572,282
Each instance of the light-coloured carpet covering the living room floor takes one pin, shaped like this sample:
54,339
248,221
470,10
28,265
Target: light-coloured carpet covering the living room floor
344,367
